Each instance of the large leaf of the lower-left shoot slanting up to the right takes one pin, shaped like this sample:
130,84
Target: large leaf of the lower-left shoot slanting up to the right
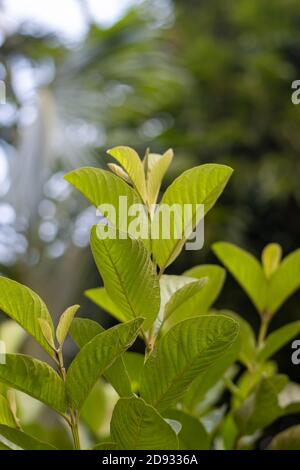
96,357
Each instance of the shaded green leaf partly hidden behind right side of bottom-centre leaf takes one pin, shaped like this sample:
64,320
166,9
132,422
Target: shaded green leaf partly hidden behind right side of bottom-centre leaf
192,435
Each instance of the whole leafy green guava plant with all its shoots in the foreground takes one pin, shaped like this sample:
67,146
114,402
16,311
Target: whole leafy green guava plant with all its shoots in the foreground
167,397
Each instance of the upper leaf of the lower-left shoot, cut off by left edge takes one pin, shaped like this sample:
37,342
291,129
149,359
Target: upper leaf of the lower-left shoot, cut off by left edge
25,307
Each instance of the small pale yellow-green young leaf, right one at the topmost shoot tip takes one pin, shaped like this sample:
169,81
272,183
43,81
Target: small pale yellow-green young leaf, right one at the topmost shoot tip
156,166
